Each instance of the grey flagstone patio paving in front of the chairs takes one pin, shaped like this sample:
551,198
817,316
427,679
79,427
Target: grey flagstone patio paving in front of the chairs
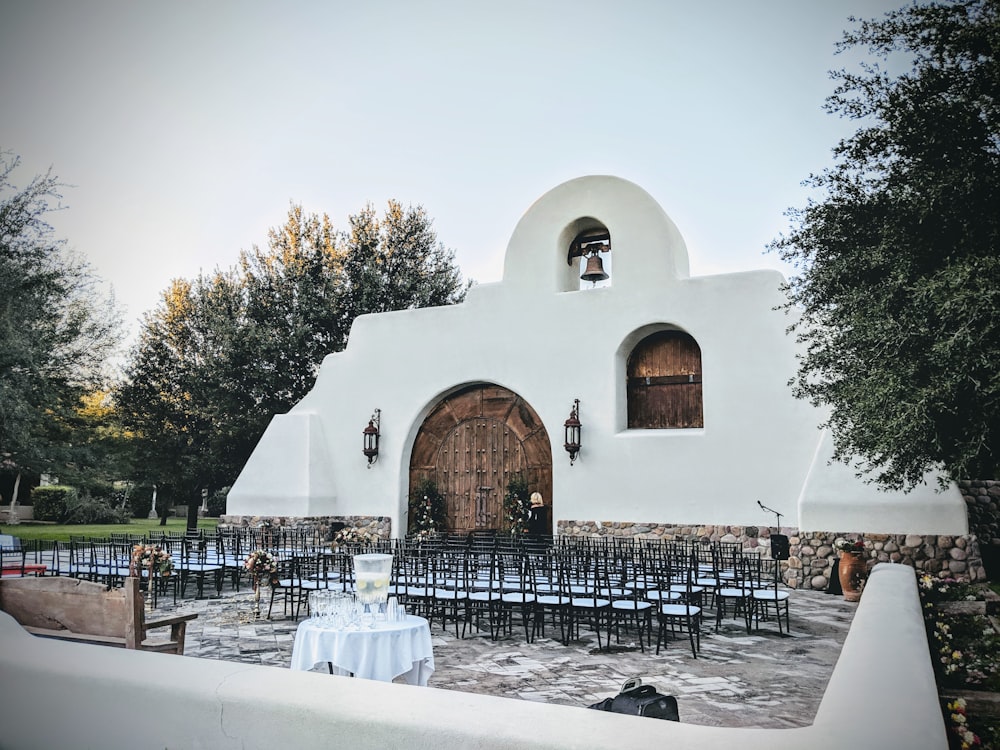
739,680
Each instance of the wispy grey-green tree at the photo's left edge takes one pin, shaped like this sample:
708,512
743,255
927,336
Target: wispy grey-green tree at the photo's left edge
57,331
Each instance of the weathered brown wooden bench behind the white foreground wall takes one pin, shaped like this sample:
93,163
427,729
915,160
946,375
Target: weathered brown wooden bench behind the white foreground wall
75,610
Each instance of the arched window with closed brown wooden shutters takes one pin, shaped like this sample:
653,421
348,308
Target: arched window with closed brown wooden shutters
664,382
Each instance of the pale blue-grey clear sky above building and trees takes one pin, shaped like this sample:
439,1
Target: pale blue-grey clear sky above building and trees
184,130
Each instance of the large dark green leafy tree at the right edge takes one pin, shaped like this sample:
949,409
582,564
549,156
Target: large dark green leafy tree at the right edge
899,265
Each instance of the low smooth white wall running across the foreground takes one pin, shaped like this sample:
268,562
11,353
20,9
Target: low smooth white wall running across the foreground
57,694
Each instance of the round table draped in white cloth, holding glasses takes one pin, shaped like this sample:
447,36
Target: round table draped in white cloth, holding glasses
390,650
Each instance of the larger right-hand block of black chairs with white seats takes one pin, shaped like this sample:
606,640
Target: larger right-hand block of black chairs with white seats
493,584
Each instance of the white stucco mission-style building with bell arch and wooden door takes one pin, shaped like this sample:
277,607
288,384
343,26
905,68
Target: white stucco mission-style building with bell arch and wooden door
685,411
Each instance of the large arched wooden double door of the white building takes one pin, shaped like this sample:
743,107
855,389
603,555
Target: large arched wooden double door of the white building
472,444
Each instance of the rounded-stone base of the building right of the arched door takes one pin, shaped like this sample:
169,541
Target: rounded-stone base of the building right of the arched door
810,563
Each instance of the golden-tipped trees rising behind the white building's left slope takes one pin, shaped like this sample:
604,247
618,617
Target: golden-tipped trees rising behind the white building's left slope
221,355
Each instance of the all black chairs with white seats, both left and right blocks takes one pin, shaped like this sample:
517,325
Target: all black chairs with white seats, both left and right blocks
490,582
